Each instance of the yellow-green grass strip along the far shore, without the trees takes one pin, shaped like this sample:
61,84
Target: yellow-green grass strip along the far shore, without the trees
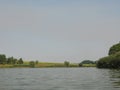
43,64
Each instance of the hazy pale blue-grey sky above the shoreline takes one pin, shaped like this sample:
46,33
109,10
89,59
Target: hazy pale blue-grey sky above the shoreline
59,30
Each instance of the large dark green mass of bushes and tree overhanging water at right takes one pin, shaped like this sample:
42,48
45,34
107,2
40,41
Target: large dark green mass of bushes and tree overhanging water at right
112,60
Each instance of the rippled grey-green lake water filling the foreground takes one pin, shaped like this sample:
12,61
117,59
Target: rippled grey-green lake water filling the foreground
59,79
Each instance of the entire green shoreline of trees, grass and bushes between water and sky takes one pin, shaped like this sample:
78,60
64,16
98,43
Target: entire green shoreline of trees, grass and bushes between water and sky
110,61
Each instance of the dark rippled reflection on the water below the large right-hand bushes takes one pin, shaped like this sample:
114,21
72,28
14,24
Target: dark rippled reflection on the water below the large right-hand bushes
115,78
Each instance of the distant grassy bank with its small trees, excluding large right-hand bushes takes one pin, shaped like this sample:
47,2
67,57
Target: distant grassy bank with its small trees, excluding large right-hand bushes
12,62
